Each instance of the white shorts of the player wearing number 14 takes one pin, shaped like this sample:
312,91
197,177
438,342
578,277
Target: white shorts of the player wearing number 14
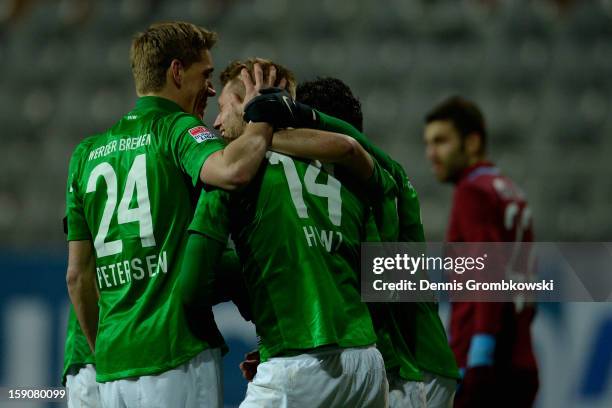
334,377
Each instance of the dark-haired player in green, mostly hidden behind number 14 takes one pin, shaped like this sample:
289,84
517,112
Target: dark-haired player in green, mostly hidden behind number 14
420,366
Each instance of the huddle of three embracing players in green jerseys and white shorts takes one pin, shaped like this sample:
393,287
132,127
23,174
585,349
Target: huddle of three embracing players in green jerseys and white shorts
294,190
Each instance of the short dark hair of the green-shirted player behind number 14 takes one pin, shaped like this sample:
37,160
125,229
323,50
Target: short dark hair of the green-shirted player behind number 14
333,97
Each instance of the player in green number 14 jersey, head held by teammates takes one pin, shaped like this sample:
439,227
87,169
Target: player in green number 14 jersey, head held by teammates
297,229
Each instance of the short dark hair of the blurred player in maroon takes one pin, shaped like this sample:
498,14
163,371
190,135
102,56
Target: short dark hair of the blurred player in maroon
465,115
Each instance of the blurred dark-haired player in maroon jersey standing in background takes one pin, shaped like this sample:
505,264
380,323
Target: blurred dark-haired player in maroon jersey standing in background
491,341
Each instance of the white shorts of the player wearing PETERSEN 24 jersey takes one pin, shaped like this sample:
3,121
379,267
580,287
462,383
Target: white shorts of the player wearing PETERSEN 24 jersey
197,383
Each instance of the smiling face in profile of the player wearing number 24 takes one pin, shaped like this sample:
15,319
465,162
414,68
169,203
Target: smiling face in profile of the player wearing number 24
197,86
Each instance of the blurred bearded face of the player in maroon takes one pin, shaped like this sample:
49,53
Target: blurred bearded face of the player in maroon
444,148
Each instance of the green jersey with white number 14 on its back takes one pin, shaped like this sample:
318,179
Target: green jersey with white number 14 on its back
297,230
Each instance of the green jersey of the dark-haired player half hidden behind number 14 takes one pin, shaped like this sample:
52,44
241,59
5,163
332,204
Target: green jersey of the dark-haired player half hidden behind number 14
411,335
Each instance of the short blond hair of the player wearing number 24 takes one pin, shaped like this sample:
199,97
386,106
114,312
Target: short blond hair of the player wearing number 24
153,50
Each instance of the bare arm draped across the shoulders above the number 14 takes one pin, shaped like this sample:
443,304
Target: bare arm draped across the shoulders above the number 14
326,147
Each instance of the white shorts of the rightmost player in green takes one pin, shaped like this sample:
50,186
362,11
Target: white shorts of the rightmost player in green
433,392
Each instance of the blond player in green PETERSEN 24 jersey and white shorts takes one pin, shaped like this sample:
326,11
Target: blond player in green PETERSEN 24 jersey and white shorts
130,197
